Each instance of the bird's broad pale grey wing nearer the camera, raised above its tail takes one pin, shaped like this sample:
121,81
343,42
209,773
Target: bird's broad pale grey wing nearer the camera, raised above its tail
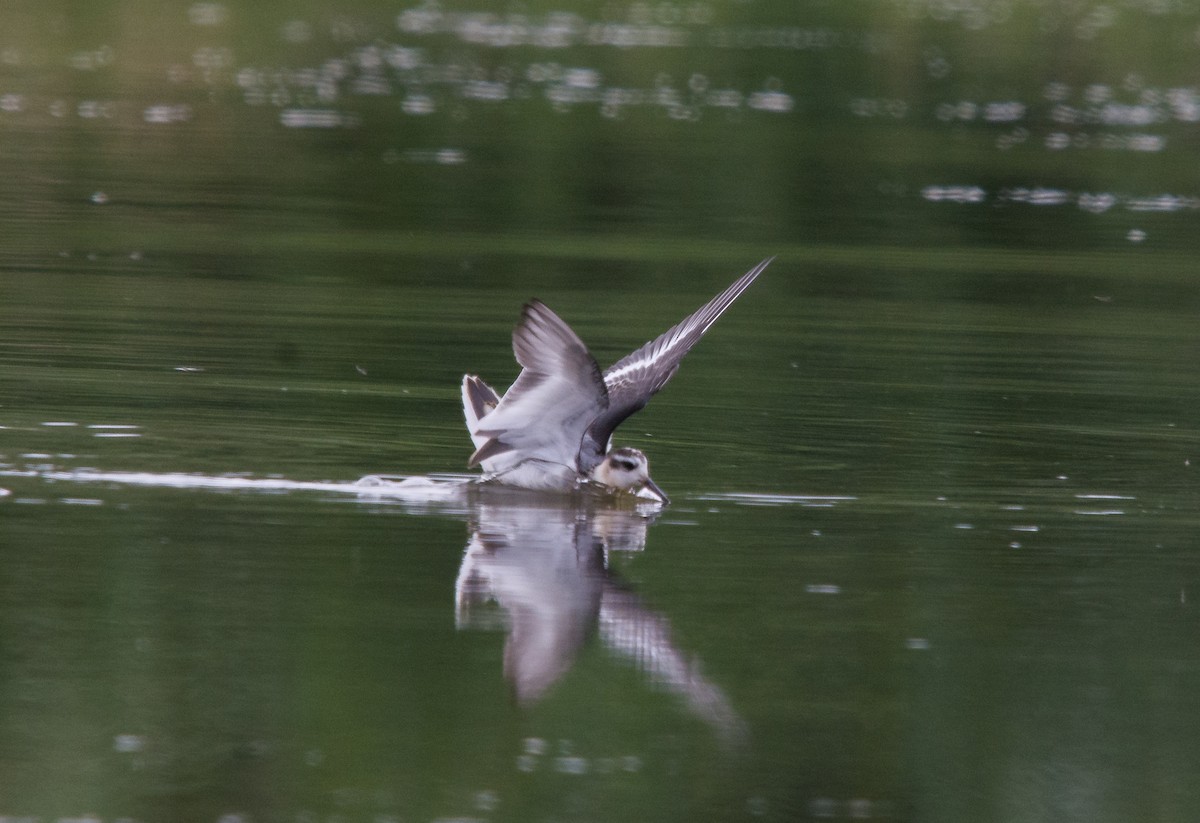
559,393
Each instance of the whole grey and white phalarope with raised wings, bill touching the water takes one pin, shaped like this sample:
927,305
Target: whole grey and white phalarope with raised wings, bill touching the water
554,428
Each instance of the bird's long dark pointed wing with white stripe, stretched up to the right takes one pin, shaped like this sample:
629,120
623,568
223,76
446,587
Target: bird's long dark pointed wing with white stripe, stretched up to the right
637,377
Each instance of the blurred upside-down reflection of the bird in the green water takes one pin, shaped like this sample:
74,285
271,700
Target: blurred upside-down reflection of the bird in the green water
542,573
